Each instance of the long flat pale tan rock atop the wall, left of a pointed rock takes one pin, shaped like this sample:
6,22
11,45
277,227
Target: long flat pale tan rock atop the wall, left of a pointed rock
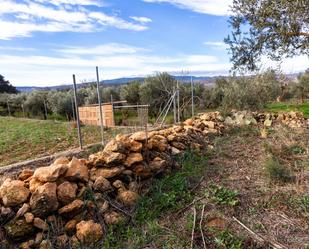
50,173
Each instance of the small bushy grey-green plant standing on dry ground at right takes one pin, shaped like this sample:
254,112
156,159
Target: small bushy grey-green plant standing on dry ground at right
277,171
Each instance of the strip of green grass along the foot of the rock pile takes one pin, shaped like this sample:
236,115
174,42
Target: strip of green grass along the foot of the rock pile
168,194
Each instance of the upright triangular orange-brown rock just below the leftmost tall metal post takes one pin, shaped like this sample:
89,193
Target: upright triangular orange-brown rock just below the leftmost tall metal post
77,171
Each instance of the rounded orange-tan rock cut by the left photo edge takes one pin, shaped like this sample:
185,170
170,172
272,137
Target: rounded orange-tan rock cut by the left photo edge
13,192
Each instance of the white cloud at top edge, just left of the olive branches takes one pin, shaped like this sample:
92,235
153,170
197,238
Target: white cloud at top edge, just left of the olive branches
212,7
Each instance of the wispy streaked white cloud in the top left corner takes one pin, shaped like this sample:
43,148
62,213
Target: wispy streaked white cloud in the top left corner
20,19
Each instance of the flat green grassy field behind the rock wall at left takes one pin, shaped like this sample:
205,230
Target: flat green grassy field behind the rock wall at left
23,139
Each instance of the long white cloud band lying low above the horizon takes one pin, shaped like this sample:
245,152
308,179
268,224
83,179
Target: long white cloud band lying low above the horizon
116,60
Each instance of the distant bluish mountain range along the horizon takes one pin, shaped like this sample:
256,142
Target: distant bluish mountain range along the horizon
118,81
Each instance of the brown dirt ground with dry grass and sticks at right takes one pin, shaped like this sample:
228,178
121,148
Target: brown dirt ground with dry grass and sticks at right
269,213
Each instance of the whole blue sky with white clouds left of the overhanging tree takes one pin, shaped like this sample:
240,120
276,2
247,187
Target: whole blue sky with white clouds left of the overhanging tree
43,42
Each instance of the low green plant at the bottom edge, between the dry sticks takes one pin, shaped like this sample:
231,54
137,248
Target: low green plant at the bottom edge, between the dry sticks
227,240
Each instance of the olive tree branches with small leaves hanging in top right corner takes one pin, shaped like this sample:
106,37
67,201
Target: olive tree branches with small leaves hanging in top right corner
276,29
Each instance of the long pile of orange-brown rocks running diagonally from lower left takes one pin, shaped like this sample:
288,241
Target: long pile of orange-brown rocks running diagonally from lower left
69,202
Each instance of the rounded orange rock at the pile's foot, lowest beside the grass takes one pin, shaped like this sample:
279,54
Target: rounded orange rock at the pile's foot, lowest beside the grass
89,232
